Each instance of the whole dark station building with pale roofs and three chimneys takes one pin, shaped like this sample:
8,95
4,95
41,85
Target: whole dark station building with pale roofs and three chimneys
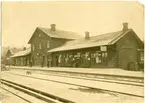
58,48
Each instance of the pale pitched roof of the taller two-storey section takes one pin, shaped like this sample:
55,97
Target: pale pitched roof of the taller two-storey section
59,33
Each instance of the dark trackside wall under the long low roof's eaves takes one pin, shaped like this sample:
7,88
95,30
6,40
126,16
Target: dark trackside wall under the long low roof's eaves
89,62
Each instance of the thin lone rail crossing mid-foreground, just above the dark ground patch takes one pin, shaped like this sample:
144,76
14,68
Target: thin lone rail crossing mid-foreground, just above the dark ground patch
68,83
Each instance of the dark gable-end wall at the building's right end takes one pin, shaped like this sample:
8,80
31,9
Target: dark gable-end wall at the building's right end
127,50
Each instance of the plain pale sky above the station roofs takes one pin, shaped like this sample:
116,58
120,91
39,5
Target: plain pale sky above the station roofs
20,19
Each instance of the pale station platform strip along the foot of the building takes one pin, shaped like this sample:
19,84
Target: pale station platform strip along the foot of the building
102,71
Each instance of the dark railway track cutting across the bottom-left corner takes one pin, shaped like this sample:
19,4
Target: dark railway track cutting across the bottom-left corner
48,98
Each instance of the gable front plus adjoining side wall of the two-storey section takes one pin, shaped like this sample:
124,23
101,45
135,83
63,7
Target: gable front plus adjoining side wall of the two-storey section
40,56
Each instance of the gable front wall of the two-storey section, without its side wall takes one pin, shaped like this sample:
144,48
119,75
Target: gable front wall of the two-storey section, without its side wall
39,56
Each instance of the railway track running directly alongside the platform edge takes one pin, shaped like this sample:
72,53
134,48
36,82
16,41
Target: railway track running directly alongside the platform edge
88,75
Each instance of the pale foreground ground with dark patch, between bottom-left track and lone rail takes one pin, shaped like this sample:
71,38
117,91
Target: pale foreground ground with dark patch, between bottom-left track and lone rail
74,93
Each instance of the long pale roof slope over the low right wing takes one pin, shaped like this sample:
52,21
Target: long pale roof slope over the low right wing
99,40
